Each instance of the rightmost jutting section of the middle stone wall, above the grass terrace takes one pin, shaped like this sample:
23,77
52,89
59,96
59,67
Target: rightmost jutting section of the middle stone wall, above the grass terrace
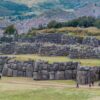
84,52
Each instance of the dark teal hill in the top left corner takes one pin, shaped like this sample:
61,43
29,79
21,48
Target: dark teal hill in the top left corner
8,8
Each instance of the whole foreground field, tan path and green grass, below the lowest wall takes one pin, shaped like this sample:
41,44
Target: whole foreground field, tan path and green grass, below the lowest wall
27,89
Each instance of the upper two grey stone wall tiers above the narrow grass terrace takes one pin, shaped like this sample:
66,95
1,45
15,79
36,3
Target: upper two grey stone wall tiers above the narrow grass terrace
53,44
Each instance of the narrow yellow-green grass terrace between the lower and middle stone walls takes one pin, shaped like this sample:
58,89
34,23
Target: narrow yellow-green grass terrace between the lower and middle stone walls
85,62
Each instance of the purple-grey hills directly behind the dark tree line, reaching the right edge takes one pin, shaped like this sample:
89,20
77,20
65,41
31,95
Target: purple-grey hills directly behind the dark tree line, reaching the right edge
60,14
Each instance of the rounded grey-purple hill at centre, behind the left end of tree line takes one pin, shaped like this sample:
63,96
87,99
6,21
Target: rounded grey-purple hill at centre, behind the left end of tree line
58,14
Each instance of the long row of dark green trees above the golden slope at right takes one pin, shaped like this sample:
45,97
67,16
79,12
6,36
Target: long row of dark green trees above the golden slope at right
79,22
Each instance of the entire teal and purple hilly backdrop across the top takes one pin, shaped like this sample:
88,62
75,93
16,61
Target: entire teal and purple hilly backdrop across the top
50,9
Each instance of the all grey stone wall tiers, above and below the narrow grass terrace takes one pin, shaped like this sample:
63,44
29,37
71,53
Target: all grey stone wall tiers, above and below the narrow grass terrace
51,44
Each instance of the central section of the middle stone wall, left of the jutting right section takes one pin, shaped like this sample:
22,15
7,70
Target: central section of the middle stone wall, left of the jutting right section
54,50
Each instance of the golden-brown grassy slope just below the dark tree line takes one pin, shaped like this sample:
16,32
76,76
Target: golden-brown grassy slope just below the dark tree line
75,31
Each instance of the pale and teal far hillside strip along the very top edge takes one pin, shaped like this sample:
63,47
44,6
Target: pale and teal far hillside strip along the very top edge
55,3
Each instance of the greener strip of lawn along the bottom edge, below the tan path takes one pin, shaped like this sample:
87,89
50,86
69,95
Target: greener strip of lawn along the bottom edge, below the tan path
46,94
